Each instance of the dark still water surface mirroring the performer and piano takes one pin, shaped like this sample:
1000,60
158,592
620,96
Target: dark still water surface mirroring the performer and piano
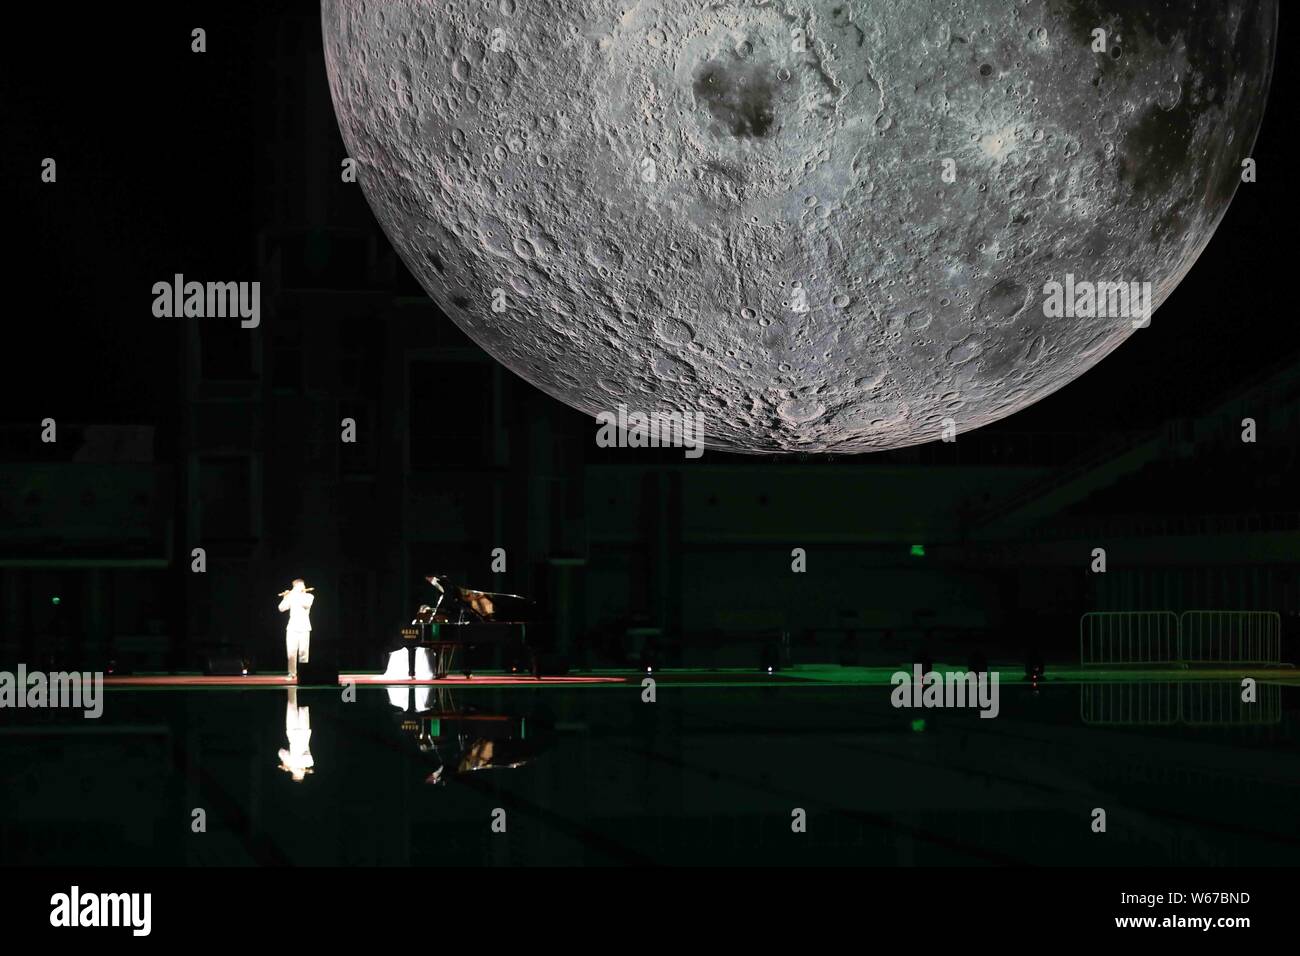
1185,772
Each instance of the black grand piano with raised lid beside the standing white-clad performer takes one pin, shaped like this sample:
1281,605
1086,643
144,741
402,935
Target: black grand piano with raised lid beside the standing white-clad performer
458,628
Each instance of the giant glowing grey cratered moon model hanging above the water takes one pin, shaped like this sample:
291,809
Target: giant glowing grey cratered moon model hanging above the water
824,226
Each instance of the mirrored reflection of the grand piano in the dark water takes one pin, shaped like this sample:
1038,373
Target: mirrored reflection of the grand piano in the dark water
460,741
